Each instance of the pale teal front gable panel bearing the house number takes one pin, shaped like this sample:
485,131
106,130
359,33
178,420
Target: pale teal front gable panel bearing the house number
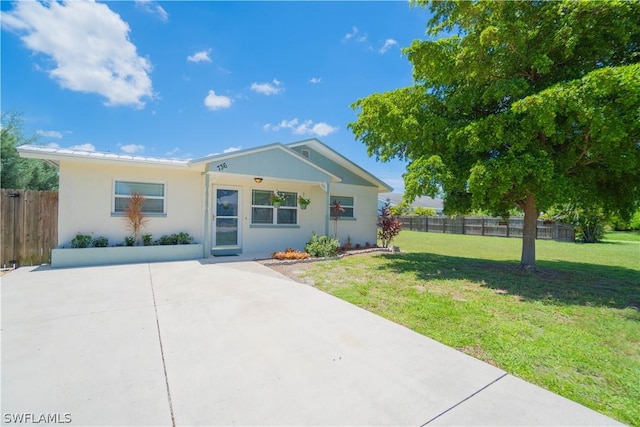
274,163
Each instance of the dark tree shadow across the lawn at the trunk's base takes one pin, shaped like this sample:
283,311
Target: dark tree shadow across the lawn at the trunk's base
555,282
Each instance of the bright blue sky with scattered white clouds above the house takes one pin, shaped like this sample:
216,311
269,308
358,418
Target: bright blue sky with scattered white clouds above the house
188,79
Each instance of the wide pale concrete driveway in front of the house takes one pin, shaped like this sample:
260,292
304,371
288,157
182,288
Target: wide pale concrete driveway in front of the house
190,343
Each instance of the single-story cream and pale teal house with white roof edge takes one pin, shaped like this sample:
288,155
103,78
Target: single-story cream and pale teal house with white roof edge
222,200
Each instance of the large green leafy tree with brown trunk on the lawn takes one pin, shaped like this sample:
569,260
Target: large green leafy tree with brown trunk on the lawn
527,105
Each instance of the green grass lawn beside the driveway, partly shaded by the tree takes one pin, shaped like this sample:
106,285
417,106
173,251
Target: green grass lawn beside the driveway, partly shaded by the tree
572,328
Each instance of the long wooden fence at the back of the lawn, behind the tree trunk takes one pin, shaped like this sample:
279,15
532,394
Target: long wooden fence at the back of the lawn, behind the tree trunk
481,226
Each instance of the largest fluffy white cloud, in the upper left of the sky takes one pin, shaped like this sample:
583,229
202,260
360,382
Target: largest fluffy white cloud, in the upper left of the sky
89,46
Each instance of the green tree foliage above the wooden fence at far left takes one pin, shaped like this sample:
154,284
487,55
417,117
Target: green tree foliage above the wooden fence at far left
18,173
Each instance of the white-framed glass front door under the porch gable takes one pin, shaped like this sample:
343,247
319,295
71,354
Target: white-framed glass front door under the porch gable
226,221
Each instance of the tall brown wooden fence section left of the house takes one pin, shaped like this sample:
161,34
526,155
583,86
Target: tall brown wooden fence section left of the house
29,227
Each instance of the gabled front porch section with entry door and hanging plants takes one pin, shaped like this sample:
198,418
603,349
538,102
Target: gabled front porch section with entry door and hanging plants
239,215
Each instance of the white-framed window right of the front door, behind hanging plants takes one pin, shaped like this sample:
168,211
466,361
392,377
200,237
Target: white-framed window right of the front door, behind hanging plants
263,212
